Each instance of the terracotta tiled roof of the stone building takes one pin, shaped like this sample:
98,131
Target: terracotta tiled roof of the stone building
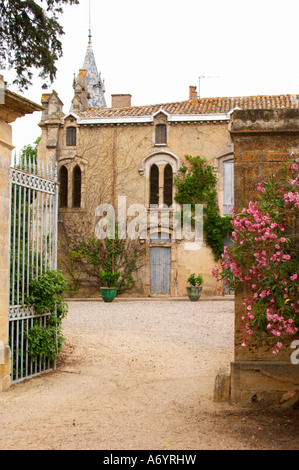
200,106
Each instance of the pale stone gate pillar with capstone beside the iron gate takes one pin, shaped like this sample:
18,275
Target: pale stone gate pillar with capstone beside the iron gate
12,106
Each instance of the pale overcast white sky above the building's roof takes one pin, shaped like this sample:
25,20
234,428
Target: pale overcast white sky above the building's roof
155,49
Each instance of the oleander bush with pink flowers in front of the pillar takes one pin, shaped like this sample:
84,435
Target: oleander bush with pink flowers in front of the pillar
265,259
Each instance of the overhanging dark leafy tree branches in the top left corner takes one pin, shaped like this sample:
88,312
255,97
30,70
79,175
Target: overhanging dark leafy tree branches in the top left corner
29,36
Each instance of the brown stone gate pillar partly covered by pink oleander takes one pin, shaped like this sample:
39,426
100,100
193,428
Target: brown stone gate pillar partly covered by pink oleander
263,141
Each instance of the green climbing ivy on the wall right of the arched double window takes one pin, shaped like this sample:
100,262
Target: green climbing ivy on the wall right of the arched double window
197,185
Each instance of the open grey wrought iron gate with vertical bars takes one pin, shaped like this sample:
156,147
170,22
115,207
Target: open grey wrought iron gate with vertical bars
33,250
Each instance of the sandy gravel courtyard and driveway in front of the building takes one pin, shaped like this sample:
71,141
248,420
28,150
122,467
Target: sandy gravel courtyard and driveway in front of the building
138,375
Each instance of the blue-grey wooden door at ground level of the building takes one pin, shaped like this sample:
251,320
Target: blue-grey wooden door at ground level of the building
160,270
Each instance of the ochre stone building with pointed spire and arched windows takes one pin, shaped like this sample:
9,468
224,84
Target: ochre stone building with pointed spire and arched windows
132,153
